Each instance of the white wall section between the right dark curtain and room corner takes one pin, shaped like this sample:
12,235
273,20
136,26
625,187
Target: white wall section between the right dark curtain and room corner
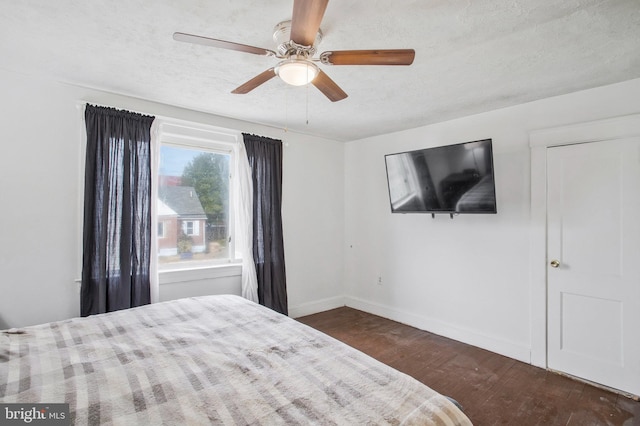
313,220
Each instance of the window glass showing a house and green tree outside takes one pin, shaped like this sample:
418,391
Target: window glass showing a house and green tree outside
193,207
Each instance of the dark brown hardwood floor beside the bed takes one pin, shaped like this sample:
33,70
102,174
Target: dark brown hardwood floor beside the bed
493,389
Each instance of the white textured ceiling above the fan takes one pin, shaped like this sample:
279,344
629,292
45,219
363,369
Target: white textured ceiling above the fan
471,56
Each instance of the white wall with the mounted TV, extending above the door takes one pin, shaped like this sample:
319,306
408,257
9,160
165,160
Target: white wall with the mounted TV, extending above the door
466,278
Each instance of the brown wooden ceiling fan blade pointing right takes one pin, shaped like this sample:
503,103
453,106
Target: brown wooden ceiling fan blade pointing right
369,57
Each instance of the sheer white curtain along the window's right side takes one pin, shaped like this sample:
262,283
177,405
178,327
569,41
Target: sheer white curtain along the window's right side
244,224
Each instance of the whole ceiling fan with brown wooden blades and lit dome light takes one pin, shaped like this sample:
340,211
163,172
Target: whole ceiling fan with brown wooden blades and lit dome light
297,40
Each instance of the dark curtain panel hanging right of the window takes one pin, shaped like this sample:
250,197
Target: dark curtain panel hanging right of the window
265,160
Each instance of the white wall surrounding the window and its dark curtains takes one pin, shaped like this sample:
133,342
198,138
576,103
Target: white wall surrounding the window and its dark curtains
40,192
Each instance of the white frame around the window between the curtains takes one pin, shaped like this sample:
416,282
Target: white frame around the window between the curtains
196,136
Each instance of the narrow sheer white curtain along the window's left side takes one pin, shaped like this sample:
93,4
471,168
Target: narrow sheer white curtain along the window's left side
155,164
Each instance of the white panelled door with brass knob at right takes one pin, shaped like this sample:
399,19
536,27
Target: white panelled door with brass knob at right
593,268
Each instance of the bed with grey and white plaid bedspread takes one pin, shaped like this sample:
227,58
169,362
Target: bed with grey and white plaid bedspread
208,360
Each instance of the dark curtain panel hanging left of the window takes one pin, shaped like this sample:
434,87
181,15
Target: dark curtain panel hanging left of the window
117,211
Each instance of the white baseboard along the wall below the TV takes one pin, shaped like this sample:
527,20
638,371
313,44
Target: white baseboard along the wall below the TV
503,347
